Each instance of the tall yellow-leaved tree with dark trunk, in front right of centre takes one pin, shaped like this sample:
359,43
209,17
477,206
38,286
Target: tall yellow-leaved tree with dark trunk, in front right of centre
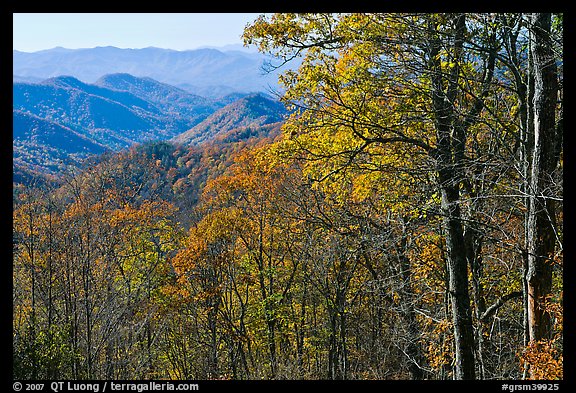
406,81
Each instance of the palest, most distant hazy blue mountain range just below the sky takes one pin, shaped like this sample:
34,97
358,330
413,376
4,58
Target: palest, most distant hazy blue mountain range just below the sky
204,70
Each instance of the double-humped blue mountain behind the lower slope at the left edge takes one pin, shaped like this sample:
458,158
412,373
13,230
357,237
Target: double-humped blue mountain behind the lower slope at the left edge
117,111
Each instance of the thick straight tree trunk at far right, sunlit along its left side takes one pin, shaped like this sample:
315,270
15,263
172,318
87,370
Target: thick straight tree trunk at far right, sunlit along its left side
541,219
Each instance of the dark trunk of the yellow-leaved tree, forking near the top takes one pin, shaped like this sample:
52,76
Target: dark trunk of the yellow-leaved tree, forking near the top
448,165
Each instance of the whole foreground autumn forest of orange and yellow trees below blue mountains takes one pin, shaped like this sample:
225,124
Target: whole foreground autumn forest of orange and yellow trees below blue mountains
404,222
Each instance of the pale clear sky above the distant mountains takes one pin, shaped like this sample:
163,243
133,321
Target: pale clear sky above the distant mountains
180,31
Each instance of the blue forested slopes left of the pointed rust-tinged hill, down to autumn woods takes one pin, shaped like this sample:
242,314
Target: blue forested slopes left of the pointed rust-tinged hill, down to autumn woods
63,120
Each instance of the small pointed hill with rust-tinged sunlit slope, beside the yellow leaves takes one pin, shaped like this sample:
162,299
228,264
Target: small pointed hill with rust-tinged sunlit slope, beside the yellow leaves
251,111
